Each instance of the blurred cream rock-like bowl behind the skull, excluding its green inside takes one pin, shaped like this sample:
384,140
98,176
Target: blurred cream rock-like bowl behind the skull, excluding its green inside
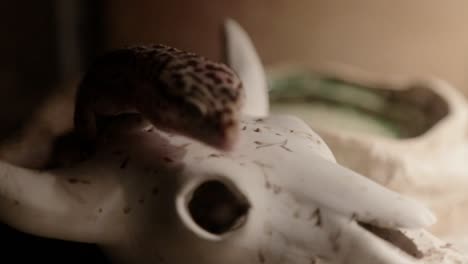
429,165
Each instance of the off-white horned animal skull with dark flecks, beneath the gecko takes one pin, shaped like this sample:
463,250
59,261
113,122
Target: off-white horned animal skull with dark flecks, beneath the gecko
278,197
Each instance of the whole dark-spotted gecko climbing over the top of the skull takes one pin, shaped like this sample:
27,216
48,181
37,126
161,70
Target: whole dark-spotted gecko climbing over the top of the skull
176,91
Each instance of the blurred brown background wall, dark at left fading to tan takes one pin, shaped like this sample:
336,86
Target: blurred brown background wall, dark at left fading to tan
46,45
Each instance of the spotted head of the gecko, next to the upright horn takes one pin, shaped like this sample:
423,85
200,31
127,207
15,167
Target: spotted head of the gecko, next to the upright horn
202,99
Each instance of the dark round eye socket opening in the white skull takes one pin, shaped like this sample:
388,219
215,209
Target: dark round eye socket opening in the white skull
217,208
